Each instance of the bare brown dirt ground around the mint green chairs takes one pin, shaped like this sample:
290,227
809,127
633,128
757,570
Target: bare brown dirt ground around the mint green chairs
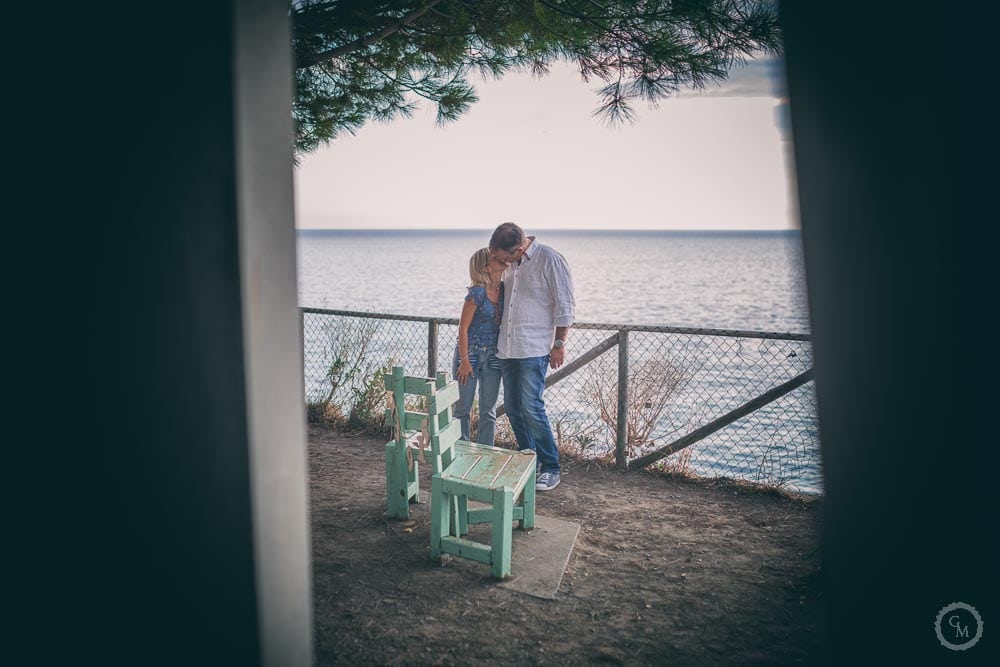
664,571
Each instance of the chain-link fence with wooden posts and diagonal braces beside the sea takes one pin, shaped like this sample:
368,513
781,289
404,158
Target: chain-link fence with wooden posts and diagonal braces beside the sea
733,404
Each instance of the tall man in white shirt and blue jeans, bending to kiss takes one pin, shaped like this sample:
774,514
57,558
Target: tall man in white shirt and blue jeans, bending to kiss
537,313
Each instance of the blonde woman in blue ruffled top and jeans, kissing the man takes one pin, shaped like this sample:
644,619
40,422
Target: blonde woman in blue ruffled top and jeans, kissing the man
476,353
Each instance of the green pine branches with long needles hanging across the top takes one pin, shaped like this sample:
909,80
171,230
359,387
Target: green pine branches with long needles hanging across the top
641,49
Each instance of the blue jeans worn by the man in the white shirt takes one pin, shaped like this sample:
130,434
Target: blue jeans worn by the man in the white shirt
523,383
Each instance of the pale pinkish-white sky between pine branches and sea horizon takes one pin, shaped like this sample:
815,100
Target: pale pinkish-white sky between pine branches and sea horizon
530,151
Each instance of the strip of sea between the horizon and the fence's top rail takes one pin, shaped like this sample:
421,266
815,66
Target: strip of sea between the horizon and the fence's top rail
747,280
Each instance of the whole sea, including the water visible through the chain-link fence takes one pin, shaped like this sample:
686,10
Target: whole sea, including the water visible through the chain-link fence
748,281
